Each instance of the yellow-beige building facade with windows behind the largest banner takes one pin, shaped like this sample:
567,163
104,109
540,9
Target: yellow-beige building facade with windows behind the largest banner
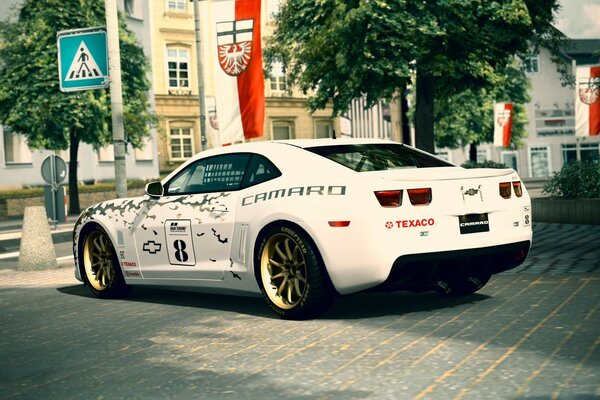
174,66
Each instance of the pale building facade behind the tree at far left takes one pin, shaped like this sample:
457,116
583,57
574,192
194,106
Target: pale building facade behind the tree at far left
20,166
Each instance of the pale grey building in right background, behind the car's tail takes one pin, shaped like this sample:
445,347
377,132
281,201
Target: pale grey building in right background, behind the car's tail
551,141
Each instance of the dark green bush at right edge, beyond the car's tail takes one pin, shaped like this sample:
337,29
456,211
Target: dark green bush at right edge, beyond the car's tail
575,181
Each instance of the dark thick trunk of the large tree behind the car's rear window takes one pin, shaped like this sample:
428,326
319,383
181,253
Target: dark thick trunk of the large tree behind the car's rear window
424,139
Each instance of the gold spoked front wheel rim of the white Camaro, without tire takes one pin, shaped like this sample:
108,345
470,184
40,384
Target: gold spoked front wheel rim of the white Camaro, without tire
97,260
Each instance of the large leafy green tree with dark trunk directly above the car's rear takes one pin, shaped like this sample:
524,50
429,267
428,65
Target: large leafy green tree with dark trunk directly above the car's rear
339,50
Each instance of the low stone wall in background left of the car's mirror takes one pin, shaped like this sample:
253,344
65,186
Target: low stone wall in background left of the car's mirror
15,208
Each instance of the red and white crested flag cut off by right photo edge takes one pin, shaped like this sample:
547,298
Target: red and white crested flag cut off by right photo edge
587,101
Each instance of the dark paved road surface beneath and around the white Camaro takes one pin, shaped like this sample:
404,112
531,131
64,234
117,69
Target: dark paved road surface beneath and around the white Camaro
530,333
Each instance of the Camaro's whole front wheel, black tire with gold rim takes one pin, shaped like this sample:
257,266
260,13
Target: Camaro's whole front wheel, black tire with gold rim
99,266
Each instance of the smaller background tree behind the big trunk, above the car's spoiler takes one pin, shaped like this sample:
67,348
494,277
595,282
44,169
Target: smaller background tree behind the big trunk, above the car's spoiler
467,117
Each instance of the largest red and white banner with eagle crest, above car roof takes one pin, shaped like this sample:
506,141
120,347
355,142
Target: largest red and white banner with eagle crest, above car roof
239,82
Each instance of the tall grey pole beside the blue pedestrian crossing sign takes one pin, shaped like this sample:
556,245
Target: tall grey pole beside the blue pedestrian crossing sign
116,96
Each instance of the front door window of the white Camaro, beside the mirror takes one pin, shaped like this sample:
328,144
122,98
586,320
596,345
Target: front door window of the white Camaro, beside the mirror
216,174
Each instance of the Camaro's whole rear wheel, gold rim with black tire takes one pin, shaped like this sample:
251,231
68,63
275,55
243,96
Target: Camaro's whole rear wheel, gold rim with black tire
290,273
